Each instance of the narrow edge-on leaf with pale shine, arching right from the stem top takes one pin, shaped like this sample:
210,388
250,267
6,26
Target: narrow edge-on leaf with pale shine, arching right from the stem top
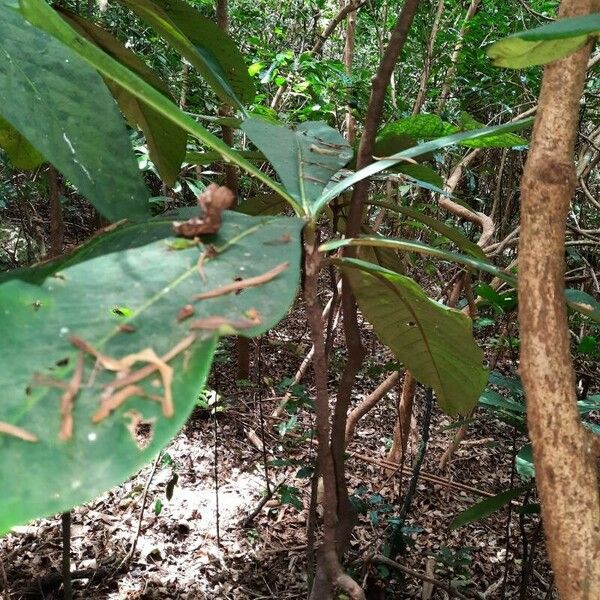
420,150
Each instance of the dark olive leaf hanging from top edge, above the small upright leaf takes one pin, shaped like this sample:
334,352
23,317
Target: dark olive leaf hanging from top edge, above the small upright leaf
203,44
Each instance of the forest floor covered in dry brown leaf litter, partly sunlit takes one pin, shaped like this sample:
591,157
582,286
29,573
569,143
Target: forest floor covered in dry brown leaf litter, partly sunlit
180,556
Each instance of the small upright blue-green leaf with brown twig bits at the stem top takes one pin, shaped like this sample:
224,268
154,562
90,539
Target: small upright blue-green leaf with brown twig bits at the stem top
305,158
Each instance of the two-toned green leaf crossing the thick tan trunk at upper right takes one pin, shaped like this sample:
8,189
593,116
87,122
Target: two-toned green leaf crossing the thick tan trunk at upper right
544,44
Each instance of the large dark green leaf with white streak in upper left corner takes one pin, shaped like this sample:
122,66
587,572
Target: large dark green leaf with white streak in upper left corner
61,105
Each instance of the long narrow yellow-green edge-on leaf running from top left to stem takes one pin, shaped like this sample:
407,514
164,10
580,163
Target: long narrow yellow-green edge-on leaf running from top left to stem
42,16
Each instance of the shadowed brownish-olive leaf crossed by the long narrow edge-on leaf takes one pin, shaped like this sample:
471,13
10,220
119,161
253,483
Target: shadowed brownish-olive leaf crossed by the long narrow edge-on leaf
166,141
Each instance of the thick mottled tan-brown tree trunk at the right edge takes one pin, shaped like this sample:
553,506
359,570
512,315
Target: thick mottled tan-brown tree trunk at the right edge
565,462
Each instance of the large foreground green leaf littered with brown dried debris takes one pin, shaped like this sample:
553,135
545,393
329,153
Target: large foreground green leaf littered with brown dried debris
122,292
